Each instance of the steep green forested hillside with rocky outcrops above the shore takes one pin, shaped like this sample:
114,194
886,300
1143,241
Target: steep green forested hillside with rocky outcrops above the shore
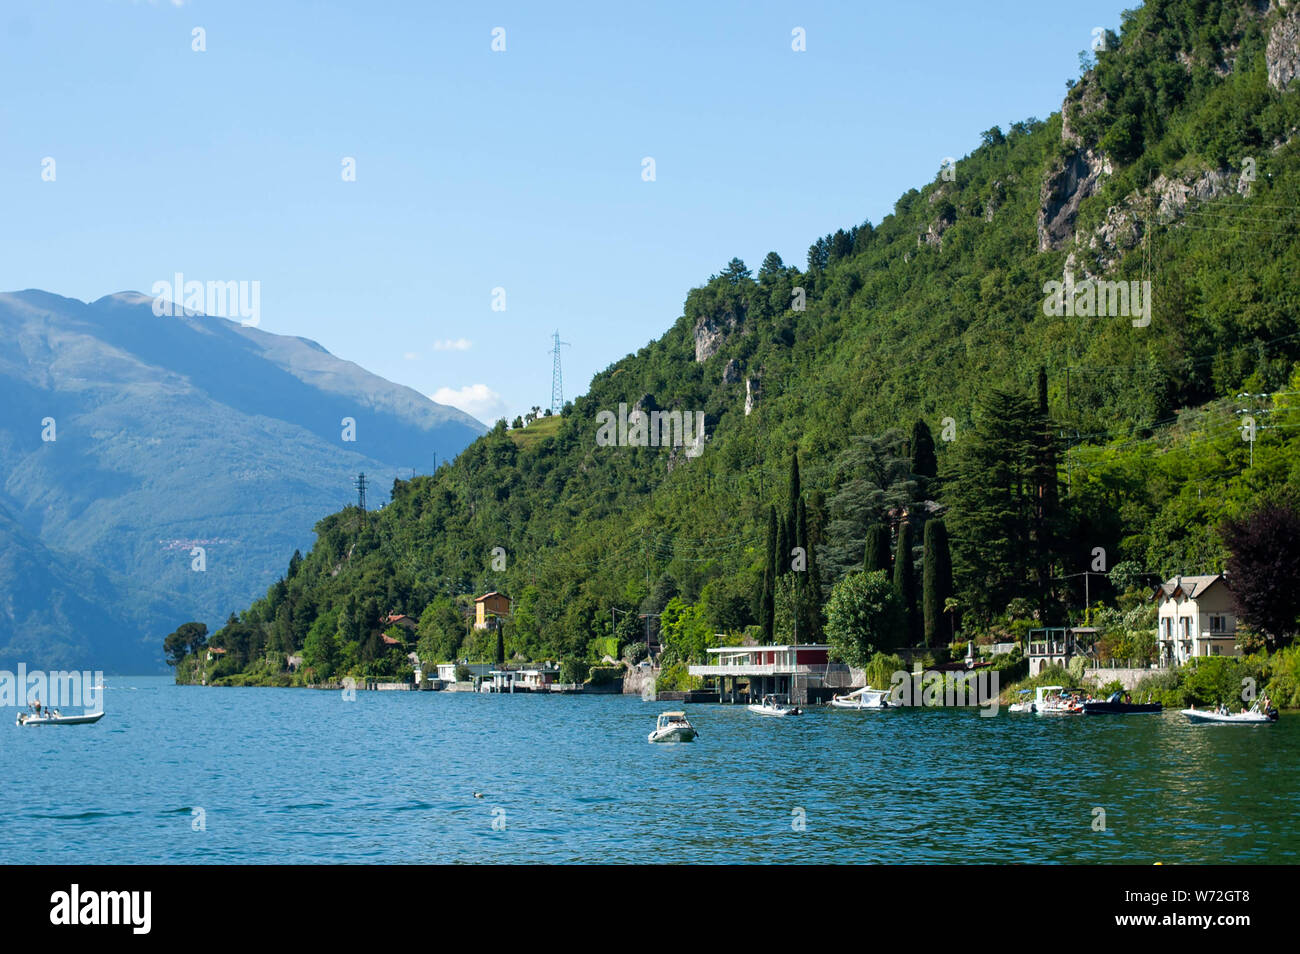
1173,163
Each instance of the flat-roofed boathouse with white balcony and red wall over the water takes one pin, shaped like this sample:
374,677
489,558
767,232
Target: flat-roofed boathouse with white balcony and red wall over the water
799,674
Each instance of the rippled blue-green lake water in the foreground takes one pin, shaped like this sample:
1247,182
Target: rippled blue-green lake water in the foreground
300,777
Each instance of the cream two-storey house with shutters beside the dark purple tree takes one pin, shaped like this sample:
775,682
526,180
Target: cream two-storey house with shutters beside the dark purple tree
1197,619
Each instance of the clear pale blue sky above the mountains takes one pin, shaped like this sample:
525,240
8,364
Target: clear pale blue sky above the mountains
478,170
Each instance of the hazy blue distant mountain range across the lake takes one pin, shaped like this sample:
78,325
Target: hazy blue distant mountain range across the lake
129,440
